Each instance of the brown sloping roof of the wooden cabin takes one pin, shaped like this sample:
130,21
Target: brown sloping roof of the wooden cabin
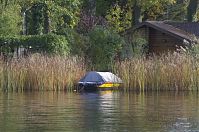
181,30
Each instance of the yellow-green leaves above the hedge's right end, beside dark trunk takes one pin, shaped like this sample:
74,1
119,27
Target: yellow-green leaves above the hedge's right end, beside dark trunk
63,13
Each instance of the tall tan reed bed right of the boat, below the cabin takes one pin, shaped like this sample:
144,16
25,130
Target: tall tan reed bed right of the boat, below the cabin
166,72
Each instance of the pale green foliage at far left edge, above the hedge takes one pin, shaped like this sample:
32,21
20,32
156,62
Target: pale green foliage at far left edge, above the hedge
10,20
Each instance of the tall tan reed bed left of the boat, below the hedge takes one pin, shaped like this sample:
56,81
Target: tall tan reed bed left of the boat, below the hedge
41,73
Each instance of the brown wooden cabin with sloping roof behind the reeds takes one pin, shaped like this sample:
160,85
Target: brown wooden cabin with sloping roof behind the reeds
164,36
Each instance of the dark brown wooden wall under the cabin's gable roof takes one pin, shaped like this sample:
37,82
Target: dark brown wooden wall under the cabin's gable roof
160,42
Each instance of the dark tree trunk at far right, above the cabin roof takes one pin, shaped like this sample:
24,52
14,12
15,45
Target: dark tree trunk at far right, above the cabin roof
192,9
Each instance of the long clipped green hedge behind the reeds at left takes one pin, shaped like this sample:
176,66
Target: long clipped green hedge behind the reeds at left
50,44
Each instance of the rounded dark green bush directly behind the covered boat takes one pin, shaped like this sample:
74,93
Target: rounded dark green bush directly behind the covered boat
105,47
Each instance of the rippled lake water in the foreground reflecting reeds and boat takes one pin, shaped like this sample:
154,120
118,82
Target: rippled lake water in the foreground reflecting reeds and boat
102,111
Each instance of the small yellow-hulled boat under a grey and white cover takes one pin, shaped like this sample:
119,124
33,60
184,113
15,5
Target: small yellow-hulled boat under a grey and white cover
99,81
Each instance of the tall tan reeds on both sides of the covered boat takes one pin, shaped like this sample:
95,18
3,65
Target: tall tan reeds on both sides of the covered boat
175,72
